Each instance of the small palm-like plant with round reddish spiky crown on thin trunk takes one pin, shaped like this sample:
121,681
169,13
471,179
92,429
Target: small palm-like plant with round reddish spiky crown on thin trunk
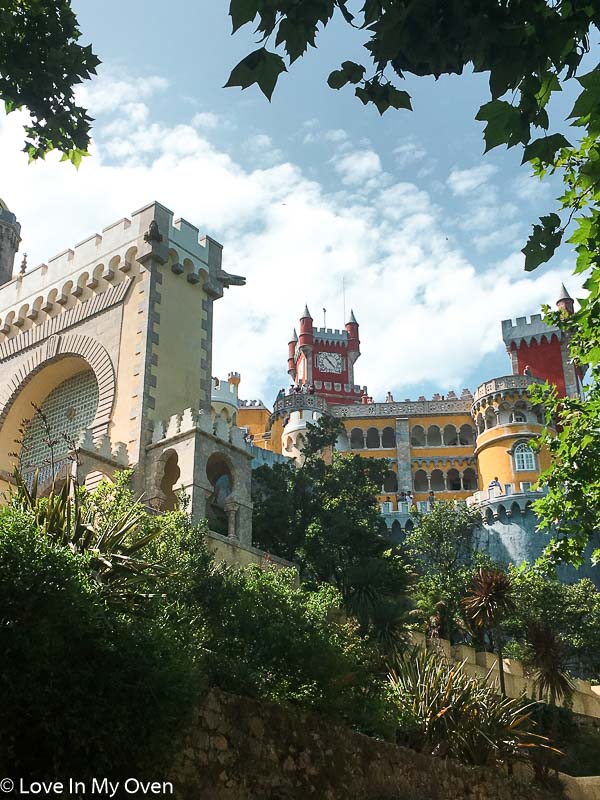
487,605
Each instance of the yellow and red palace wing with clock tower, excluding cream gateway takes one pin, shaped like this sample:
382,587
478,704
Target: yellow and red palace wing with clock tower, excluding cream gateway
472,447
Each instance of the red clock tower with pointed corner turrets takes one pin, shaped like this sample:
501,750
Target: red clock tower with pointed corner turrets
324,358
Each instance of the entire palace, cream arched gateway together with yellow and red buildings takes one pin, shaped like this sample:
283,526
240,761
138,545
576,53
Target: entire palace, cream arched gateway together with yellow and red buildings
106,364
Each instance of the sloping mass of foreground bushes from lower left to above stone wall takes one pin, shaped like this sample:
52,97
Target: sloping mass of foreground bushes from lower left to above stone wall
101,681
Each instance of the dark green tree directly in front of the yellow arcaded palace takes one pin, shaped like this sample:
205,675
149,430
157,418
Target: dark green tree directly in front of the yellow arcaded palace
323,515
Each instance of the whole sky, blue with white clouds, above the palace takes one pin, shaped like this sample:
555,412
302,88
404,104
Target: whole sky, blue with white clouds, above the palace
424,229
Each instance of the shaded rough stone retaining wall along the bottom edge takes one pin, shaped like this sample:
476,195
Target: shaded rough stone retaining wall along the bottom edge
241,749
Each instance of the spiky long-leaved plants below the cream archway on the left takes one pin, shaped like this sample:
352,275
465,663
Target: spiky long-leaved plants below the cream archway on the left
113,551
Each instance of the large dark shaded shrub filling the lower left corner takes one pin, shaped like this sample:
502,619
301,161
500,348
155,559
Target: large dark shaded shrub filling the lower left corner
85,690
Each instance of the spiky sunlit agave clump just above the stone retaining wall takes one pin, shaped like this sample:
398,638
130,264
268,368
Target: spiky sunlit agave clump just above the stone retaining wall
451,713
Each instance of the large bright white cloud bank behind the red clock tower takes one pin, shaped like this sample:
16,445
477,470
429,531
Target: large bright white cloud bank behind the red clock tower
426,313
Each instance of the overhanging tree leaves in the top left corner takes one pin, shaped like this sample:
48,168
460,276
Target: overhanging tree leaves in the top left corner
41,61
